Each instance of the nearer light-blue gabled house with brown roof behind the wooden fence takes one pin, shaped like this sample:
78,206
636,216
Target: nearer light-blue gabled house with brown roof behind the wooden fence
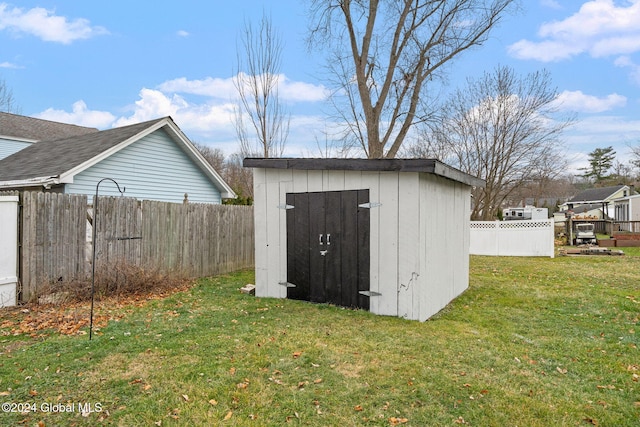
153,160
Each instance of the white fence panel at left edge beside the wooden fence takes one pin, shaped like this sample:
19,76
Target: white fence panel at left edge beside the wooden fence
8,250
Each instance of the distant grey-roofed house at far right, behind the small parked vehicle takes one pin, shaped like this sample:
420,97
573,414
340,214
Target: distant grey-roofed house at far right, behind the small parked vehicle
596,202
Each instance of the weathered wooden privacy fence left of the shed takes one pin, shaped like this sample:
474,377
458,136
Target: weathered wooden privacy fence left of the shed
195,240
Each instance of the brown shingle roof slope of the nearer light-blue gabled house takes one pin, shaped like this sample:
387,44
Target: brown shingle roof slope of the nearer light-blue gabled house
52,158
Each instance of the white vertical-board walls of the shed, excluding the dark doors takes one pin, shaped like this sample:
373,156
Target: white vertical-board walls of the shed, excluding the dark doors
419,236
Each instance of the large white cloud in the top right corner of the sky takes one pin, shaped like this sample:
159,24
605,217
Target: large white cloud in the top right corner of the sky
600,28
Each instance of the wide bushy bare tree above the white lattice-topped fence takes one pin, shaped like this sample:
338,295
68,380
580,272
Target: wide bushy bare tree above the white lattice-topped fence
504,129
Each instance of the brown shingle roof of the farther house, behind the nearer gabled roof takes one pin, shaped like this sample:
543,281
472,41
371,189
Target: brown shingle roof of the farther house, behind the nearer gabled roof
32,129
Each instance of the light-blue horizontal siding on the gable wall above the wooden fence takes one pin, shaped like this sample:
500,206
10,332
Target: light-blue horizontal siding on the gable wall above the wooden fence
151,168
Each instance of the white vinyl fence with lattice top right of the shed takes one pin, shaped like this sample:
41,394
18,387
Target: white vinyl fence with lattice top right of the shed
512,238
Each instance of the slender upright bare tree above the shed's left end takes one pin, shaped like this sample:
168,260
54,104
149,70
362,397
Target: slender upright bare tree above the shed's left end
262,124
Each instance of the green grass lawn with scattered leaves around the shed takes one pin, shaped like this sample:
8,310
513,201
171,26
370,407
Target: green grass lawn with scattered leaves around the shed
533,342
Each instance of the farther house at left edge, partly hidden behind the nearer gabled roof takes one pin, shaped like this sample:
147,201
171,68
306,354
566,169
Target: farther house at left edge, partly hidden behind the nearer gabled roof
19,132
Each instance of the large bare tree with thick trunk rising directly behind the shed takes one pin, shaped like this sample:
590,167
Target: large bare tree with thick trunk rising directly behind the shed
384,54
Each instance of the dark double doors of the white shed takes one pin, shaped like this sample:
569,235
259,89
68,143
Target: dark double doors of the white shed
328,247
